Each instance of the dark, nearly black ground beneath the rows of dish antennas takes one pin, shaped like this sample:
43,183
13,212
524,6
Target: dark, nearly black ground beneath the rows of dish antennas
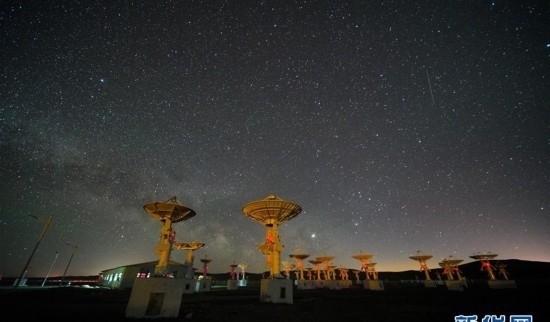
395,303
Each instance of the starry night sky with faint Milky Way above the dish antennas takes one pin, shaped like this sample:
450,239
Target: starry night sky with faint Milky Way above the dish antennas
397,127
